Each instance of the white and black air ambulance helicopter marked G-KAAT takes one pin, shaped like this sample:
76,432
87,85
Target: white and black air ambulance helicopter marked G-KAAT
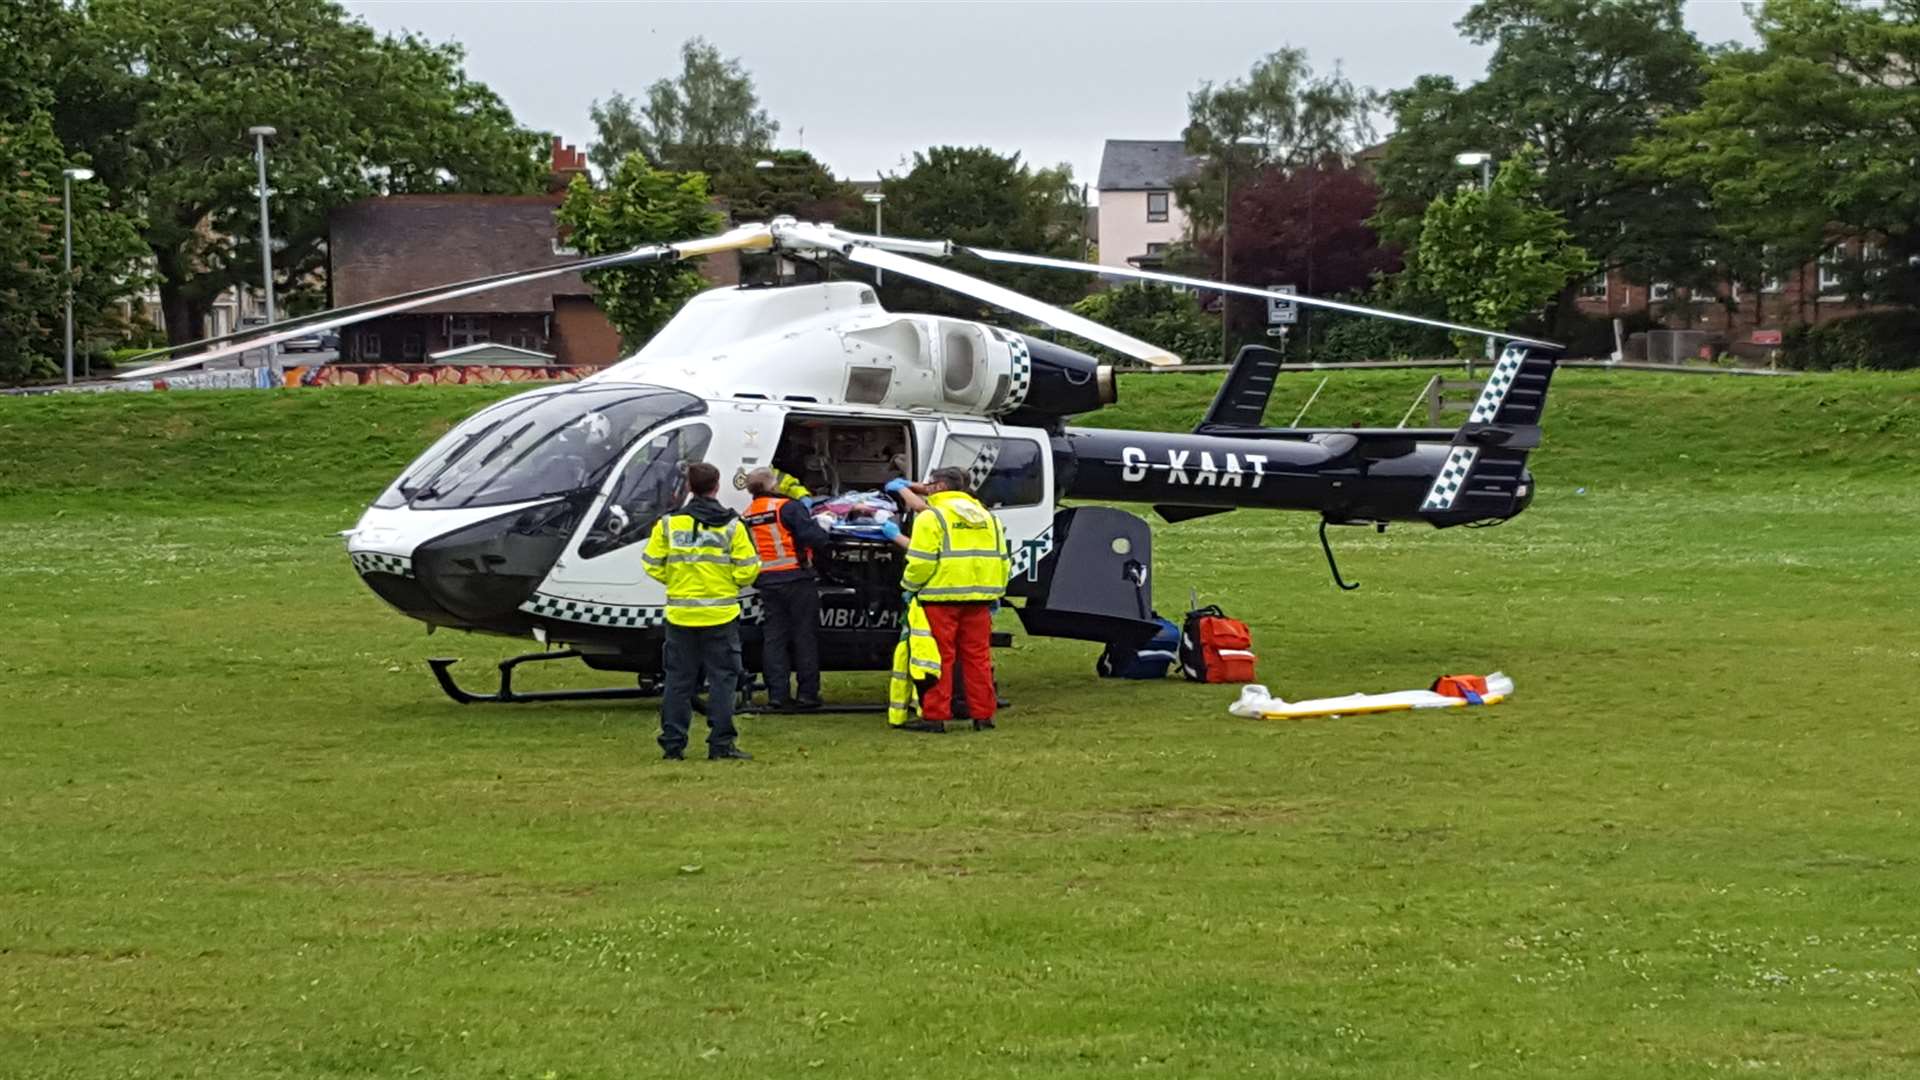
527,518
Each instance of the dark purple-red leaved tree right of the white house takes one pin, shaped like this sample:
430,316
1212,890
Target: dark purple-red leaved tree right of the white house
1305,228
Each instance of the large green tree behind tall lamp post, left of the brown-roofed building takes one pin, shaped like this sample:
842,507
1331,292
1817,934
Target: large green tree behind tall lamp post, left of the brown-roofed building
162,95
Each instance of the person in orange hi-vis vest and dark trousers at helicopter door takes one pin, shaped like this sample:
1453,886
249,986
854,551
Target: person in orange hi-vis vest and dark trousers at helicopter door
788,543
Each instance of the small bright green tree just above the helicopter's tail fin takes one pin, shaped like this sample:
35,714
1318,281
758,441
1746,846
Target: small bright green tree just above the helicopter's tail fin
1497,255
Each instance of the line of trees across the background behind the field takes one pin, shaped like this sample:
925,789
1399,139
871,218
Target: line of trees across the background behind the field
1623,145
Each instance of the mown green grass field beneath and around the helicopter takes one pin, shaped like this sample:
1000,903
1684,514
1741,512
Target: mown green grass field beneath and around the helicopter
241,833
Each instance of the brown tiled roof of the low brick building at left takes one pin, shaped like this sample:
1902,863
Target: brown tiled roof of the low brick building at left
383,247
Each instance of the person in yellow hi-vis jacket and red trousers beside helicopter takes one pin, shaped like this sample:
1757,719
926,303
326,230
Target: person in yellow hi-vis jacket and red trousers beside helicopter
957,570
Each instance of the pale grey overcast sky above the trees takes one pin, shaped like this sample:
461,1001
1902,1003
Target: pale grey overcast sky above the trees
865,86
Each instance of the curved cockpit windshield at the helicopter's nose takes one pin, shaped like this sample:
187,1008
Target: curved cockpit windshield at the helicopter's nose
537,449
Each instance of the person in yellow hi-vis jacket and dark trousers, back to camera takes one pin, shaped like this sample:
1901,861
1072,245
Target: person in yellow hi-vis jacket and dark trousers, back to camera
704,556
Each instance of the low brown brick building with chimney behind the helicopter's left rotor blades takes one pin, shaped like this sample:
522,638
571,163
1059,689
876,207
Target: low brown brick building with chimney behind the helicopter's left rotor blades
393,245
